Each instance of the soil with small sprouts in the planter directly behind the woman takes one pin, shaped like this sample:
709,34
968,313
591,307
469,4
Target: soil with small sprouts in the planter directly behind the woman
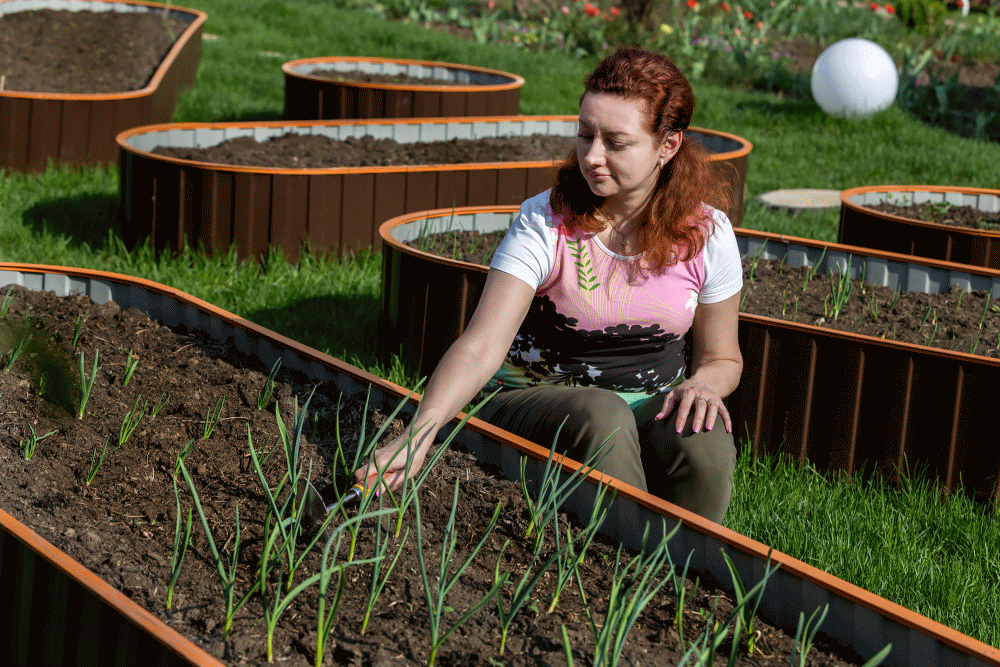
950,320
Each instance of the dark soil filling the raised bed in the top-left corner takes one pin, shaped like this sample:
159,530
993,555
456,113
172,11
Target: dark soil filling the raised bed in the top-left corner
61,51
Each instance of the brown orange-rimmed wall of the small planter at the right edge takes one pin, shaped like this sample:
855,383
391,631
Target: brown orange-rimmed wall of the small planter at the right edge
863,226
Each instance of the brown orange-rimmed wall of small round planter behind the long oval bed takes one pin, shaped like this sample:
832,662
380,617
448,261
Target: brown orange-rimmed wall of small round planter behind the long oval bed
311,96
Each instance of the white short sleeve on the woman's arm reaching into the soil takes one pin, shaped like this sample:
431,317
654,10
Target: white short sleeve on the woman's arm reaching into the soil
527,250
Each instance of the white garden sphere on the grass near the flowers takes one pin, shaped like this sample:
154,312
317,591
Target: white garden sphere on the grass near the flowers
853,78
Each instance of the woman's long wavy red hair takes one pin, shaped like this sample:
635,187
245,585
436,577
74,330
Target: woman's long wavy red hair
675,224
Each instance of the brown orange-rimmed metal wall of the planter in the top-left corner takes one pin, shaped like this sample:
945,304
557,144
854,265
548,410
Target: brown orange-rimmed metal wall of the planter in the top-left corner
79,128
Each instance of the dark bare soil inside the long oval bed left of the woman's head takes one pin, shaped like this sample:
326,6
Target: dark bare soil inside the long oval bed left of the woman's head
302,151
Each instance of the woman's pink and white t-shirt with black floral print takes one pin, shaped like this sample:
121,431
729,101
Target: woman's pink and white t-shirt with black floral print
589,324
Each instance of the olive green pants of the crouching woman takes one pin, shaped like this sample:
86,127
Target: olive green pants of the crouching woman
693,470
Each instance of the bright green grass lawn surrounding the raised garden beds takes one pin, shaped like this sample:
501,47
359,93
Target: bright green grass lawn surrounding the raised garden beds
939,559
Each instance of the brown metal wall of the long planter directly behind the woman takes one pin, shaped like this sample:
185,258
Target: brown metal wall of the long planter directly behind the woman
835,399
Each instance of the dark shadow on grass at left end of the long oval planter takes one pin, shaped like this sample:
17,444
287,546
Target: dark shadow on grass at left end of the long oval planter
84,218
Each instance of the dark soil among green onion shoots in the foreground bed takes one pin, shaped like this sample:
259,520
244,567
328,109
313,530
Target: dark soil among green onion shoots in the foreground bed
122,525
